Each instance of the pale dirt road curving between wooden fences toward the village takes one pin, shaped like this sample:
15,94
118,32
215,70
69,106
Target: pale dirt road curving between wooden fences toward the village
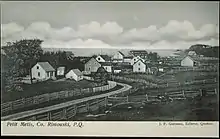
24,114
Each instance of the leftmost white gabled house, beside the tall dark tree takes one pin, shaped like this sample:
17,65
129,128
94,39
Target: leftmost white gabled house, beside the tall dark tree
43,71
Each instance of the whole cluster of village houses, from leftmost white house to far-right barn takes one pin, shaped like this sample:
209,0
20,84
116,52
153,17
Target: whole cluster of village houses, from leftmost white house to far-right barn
135,62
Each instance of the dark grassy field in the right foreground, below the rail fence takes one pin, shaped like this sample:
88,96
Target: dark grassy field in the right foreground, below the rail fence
205,108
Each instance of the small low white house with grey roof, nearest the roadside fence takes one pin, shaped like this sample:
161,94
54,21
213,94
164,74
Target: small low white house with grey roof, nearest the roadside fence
75,74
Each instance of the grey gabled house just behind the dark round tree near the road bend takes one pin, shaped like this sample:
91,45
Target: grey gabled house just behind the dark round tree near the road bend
92,65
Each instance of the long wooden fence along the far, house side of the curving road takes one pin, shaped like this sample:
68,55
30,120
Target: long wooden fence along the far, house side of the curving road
26,102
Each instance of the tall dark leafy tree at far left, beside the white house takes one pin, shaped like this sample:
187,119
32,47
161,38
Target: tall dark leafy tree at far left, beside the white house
21,56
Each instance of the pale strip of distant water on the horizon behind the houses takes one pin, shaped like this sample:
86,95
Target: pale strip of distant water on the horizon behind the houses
96,51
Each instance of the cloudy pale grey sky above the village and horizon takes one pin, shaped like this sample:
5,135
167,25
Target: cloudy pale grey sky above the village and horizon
138,25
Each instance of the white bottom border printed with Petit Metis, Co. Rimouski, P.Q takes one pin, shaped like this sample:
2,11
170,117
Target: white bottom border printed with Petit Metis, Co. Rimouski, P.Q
116,129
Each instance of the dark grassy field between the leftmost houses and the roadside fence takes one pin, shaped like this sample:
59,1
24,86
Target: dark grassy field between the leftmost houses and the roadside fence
39,88
